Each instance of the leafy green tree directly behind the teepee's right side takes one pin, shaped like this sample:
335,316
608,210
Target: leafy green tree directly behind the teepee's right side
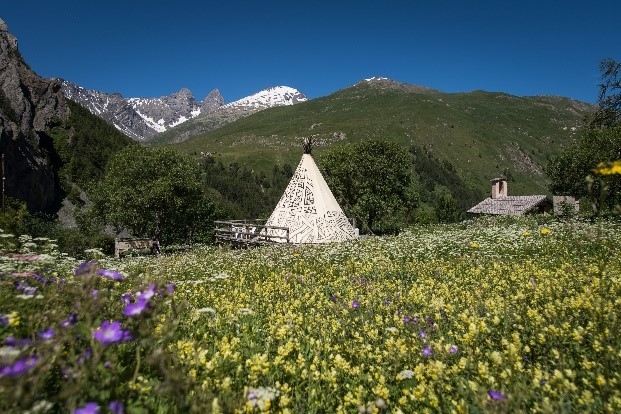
372,181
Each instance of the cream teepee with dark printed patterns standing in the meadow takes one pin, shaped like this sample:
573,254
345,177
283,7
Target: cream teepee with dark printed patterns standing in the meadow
308,208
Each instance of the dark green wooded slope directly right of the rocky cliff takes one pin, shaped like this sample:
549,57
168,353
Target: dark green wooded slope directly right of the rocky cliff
84,143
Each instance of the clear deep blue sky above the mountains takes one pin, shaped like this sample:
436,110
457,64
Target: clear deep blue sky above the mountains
149,49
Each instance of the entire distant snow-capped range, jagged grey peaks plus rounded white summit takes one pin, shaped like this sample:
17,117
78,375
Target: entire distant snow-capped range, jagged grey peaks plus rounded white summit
143,118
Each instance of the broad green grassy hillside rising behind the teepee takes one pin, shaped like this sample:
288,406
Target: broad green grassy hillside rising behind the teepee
483,134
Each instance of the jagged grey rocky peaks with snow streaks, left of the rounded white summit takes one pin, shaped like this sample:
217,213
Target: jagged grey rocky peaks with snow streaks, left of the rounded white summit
142,118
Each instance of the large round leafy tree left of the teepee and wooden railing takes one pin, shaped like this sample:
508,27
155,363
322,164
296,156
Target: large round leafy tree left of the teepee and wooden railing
155,192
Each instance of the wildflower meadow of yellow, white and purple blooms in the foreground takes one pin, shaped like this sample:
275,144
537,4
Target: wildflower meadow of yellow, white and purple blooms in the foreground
502,315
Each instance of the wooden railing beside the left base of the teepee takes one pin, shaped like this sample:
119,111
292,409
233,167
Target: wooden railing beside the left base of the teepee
249,232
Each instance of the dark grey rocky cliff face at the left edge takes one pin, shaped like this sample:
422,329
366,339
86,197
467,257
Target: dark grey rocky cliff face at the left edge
28,106
